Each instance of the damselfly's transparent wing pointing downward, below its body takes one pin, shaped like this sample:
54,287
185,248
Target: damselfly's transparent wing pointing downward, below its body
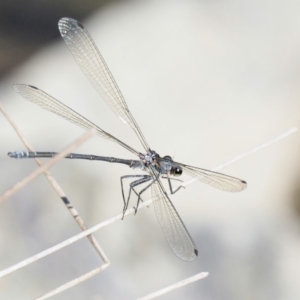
175,231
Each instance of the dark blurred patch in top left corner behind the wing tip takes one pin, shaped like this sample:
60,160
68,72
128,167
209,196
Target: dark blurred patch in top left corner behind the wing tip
25,26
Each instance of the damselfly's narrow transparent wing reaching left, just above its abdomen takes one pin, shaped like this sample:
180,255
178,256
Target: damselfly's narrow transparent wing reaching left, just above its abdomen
49,103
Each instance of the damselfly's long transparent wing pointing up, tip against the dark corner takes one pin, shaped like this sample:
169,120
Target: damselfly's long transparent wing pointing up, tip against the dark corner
91,62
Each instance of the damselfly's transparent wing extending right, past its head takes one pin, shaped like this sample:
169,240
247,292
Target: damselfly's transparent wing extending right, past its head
217,180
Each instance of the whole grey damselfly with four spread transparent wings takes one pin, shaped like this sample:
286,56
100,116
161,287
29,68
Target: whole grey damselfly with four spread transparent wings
94,67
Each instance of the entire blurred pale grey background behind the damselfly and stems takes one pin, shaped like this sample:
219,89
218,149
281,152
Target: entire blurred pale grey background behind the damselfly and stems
206,81
